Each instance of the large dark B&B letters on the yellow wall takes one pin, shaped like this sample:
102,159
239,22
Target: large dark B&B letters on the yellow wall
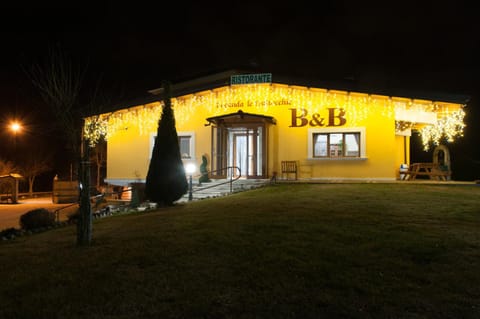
300,118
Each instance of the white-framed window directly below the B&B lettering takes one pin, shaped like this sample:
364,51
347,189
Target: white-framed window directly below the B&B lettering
342,143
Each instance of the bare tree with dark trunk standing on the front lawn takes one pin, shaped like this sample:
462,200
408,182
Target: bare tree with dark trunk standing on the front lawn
60,83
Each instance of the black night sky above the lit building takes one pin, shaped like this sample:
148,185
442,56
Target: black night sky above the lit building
430,46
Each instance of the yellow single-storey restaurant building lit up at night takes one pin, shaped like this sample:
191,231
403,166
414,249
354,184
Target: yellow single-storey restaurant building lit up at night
253,122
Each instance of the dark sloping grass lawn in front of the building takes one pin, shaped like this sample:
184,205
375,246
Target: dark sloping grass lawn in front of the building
285,251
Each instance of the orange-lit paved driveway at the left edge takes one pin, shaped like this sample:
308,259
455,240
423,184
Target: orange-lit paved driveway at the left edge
10,213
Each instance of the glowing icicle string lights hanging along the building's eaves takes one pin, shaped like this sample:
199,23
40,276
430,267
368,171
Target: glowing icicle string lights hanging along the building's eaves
262,98
